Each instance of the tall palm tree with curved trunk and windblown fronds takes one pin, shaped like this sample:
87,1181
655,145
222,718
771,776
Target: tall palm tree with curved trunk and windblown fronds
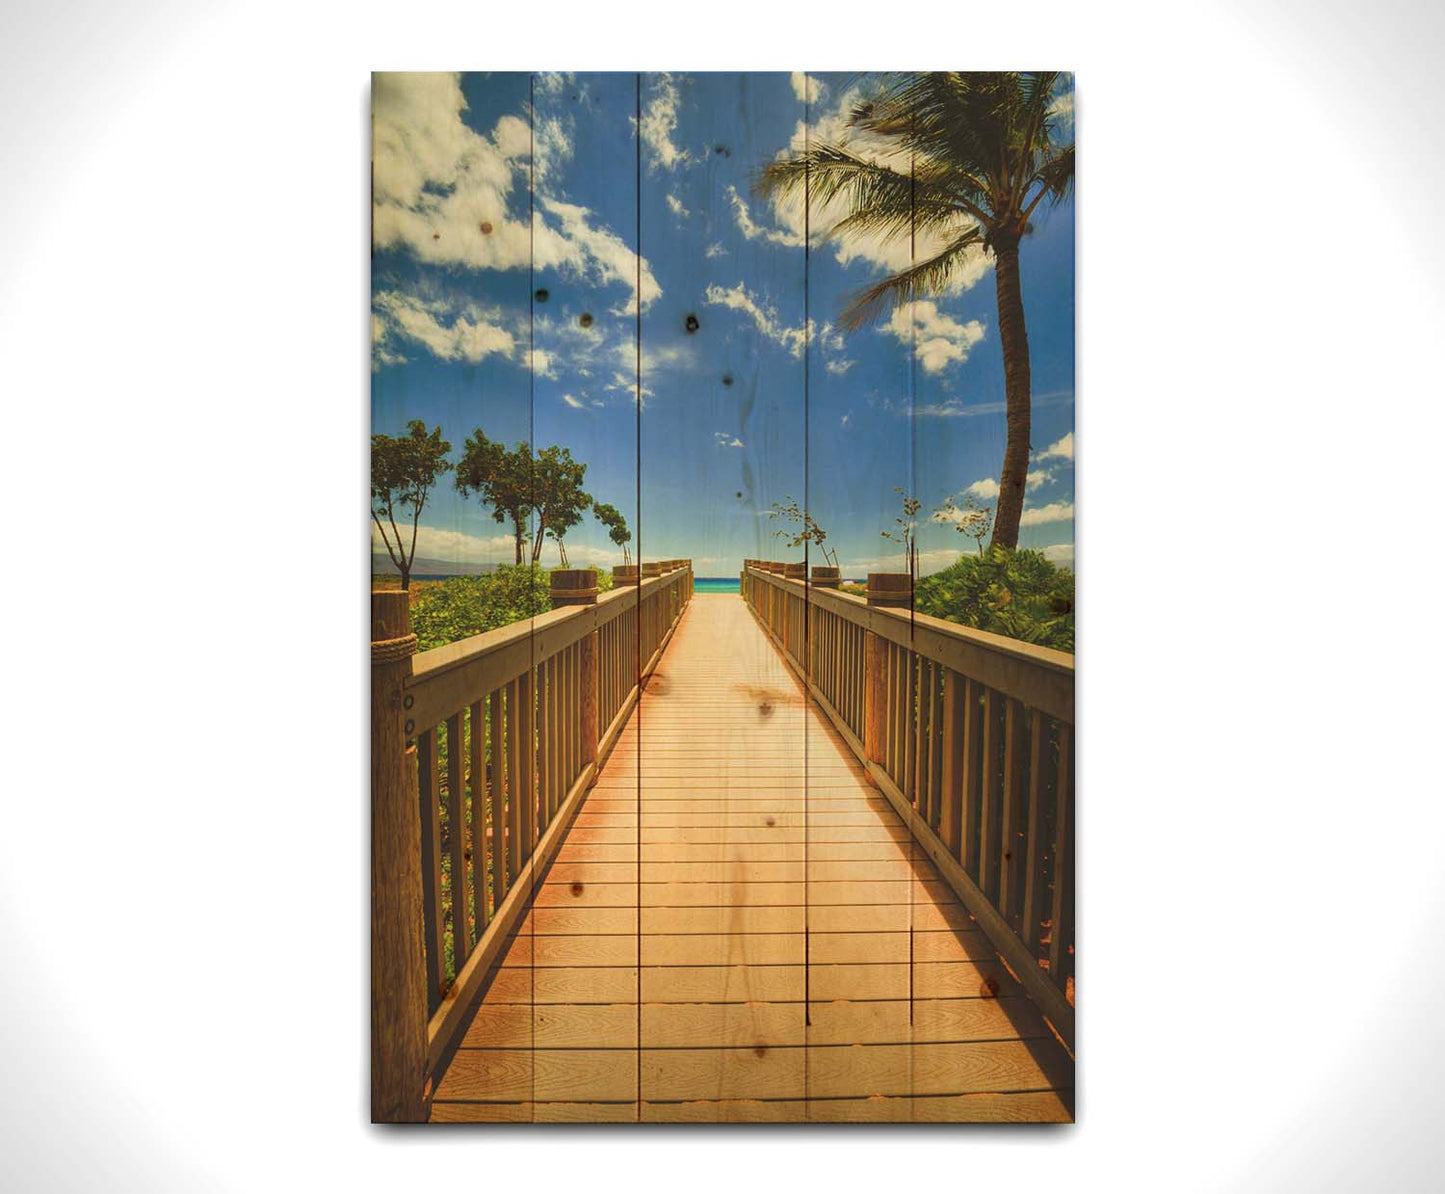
965,158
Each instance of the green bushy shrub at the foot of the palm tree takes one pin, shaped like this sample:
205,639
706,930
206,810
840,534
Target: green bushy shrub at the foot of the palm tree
1012,592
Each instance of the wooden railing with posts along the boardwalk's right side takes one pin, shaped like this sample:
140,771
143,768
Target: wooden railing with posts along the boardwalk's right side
972,739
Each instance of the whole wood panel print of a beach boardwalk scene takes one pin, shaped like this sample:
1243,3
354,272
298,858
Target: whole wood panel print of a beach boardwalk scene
723,598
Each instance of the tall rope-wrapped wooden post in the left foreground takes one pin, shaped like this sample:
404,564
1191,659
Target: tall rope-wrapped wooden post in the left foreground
398,979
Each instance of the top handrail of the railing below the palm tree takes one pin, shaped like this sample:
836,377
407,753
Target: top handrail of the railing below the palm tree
1038,676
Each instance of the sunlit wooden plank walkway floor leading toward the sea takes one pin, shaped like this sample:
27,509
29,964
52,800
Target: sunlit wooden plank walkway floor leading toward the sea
739,927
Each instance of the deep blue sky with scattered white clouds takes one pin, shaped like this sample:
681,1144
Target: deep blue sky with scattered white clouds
746,410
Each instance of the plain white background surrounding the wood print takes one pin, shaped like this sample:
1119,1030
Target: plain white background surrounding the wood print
184,384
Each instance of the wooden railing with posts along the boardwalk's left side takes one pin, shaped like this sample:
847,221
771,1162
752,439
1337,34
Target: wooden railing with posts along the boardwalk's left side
482,752
